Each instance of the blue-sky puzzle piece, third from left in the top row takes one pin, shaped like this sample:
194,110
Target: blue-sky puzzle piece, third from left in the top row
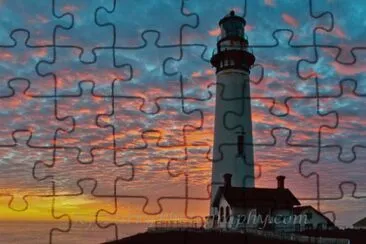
128,34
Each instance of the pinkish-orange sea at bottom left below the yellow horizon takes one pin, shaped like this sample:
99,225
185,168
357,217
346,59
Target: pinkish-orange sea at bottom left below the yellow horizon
39,232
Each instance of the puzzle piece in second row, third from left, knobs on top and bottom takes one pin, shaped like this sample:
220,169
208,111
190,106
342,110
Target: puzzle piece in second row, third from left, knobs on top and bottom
149,81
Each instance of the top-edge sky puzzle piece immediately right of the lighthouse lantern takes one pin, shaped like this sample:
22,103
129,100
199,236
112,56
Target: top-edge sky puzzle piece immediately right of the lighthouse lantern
296,16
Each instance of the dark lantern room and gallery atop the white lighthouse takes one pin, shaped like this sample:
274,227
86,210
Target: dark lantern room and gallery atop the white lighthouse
232,46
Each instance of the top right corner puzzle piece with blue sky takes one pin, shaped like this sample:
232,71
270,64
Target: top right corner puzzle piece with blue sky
348,31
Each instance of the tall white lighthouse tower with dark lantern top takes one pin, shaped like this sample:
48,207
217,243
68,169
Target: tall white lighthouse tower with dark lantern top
233,139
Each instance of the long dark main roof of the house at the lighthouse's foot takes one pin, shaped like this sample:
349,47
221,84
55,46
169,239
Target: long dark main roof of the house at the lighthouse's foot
255,197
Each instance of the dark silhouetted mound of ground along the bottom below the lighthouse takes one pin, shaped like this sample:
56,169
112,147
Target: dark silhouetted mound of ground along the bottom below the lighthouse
176,237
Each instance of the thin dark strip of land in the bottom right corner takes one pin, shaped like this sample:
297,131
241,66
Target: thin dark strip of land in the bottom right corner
355,236
